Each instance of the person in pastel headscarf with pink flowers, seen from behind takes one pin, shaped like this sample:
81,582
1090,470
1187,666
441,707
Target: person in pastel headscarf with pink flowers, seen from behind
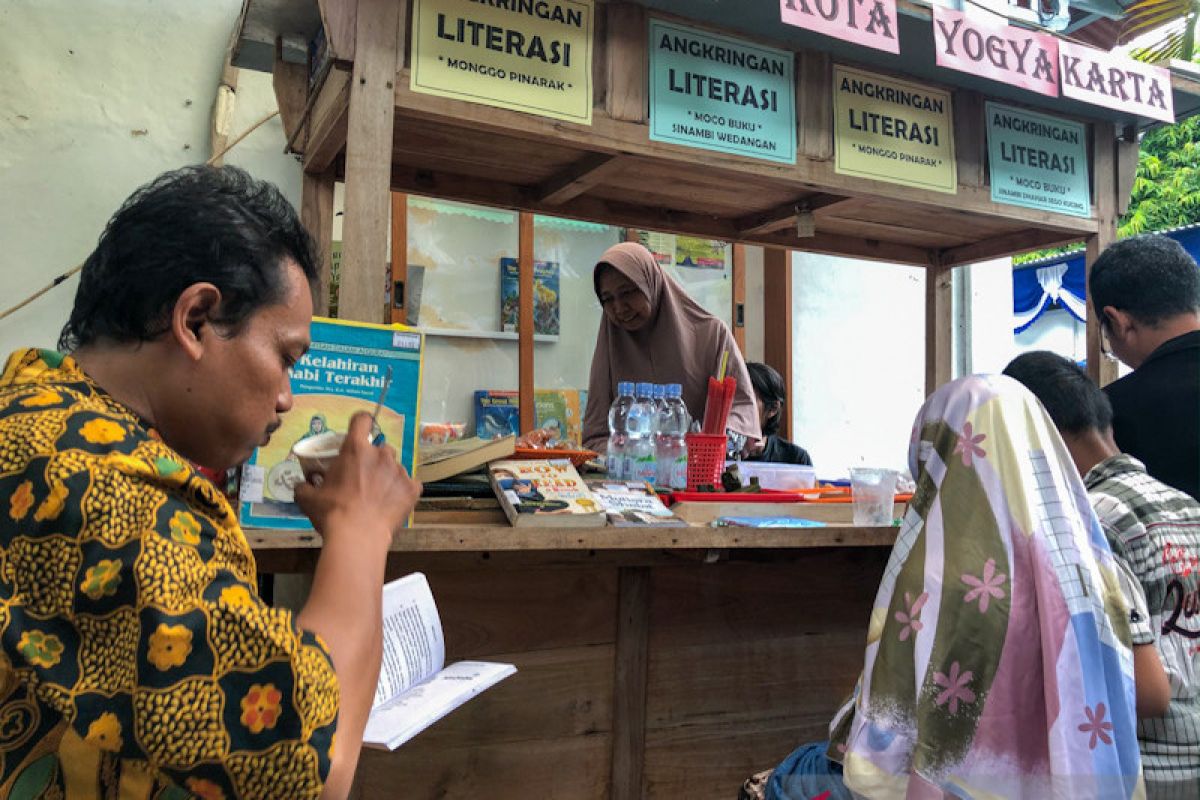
998,655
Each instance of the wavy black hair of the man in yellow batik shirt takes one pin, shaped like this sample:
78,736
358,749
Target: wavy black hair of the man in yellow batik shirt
213,225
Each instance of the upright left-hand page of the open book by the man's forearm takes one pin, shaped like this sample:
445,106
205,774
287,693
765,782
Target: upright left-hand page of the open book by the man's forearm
413,645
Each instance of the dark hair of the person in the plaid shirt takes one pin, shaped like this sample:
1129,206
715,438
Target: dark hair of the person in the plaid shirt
1073,401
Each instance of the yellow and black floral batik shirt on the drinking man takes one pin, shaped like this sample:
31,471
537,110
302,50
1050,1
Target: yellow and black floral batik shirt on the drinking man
139,660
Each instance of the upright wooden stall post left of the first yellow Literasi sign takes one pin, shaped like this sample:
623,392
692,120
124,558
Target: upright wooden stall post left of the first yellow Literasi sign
369,163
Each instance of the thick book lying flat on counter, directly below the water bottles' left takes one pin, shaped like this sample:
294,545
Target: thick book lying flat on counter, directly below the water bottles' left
545,492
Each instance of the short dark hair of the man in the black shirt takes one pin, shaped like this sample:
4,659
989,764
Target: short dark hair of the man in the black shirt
1151,278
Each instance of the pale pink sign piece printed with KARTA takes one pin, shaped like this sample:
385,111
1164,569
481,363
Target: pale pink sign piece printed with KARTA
1115,82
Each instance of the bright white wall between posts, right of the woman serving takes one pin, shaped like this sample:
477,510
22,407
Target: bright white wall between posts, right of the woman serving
859,360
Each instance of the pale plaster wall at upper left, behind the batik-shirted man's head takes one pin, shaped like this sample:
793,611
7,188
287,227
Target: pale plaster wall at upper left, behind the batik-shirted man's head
98,99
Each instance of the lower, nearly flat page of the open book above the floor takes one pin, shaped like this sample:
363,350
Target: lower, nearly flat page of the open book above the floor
404,718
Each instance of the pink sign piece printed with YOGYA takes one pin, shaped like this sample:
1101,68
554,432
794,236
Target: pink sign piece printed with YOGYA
981,47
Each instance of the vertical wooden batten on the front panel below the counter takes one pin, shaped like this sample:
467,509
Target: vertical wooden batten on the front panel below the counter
631,671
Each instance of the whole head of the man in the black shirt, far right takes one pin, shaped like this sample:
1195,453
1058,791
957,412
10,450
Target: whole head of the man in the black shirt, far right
1145,291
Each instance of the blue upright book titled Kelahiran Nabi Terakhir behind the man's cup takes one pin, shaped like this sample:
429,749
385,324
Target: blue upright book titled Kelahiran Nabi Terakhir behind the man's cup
343,375
